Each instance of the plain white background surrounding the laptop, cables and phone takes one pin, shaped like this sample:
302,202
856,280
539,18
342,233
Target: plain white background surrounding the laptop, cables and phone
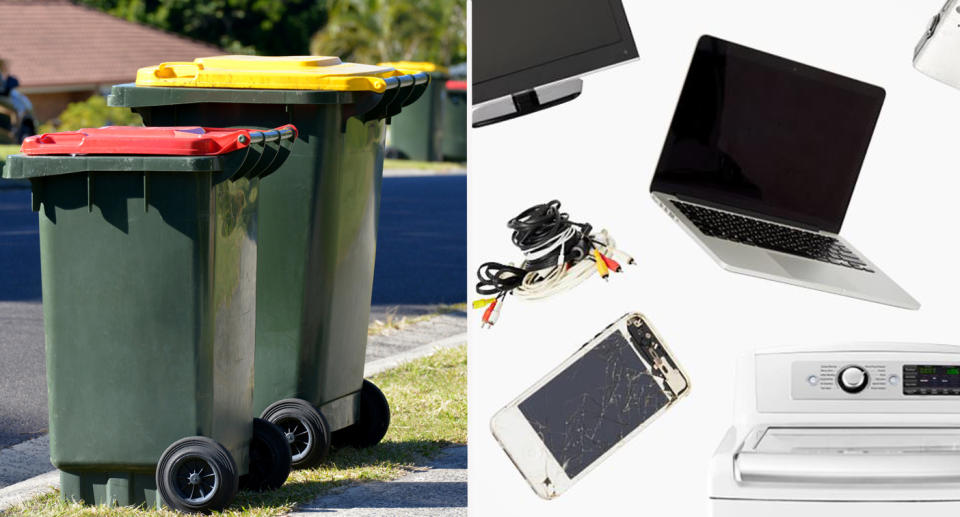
597,154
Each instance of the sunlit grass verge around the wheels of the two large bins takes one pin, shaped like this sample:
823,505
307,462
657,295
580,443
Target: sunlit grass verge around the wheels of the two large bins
428,400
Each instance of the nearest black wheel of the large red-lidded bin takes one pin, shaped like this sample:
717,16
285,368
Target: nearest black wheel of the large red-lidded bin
197,475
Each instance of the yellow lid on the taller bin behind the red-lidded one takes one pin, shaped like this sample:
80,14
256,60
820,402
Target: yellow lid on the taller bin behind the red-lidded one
270,73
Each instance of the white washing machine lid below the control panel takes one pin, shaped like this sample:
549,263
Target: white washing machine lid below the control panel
853,456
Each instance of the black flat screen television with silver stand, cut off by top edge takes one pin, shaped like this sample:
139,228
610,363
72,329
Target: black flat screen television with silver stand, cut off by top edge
529,54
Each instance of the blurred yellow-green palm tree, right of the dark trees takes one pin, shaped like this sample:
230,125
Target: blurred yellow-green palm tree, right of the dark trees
370,31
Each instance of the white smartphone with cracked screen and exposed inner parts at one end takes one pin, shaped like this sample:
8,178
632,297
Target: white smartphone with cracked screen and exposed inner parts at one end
585,409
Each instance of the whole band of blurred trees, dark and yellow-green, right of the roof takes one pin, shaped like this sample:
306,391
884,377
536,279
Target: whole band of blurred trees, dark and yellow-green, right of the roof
366,31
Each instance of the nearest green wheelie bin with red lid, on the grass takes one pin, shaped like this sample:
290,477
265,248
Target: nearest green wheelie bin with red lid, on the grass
148,240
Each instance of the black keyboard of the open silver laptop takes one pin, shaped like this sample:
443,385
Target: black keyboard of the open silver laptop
731,227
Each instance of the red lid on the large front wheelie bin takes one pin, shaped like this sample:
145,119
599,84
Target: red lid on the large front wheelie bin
171,141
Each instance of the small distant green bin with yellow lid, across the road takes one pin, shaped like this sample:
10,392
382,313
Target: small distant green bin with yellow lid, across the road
418,134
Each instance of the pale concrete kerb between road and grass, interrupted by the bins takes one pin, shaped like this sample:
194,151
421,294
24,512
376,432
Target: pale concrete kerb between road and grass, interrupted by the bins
27,489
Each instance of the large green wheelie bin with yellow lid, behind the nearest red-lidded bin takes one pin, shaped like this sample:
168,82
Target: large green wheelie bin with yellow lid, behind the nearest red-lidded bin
317,225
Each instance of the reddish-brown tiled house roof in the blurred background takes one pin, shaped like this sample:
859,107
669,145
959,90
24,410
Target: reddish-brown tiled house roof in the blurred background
55,45
